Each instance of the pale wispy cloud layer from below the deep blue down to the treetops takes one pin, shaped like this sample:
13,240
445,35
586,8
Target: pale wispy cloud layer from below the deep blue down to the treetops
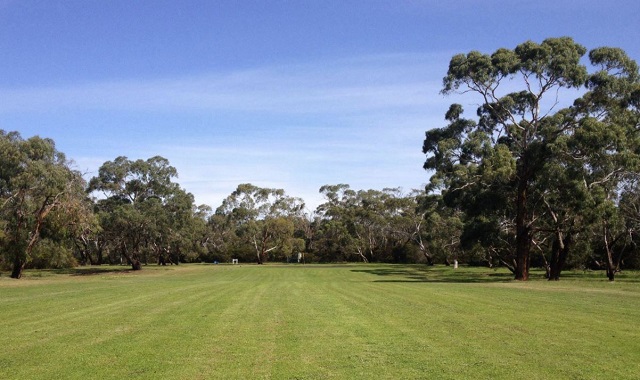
297,127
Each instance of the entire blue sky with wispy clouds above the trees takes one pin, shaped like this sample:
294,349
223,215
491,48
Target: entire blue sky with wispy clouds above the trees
287,94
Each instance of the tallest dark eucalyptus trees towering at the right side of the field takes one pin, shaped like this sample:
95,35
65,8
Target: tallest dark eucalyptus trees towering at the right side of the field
532,174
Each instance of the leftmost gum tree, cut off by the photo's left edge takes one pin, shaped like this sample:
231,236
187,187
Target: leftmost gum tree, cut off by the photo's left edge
35,183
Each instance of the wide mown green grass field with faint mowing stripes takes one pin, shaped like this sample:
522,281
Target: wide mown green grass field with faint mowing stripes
317,322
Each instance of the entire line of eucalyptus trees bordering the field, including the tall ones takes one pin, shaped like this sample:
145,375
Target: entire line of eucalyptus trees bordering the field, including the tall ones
526,182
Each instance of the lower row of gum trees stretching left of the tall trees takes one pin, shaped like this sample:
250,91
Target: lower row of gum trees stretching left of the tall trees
133,212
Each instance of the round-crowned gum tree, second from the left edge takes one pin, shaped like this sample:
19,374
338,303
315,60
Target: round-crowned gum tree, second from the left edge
143,213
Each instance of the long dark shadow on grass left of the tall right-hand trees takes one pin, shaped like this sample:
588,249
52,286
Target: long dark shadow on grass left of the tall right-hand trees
437,274
